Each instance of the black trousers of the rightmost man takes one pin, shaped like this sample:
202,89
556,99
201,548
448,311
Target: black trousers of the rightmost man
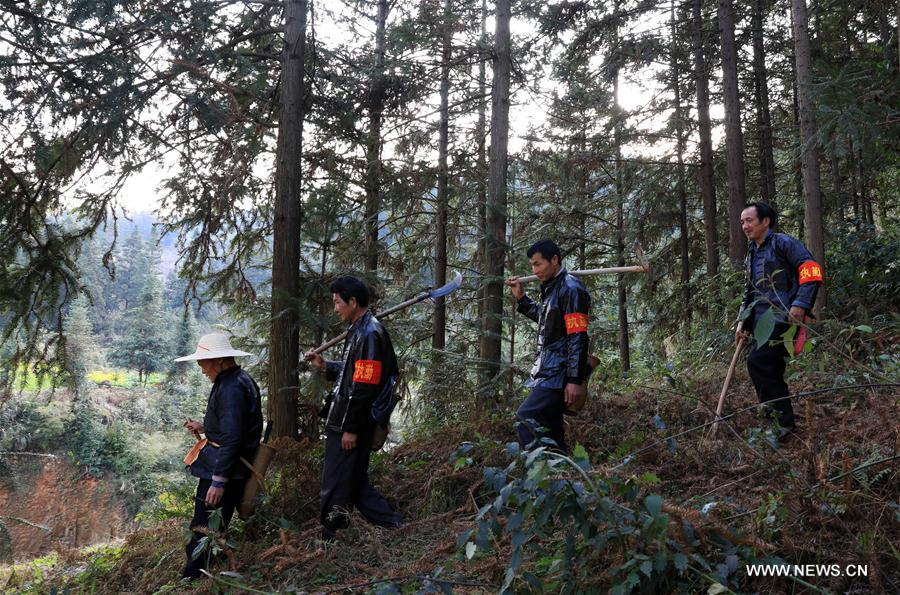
766,365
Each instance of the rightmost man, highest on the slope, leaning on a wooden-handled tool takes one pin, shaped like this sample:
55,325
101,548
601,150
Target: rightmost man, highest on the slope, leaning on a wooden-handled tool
783,278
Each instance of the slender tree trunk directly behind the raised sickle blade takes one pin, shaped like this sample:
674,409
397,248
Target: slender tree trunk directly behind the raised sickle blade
439,323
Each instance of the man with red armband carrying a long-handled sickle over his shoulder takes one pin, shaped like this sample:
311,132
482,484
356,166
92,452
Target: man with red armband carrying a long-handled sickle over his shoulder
368,369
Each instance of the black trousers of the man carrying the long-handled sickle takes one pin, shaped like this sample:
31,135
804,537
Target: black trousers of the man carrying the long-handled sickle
345,484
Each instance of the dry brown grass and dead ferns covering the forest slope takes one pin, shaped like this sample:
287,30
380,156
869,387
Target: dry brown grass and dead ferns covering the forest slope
817,519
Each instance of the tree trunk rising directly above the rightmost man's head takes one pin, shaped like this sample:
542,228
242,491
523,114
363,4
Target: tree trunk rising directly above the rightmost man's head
763,115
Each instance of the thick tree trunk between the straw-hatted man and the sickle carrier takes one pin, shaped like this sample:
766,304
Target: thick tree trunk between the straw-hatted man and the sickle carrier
284,350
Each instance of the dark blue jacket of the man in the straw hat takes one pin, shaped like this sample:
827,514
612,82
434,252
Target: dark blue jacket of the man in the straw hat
234,421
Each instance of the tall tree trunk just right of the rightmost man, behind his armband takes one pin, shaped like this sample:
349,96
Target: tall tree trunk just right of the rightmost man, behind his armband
809,152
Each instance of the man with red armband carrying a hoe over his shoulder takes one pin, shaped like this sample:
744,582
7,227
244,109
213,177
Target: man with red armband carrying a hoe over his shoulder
558,377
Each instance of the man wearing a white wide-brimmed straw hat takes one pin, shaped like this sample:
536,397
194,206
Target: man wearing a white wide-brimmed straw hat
233,426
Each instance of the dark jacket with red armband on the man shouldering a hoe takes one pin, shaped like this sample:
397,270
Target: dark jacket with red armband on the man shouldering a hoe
562,344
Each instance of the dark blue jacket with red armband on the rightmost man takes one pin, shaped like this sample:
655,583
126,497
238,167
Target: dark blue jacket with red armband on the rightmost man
781,274
